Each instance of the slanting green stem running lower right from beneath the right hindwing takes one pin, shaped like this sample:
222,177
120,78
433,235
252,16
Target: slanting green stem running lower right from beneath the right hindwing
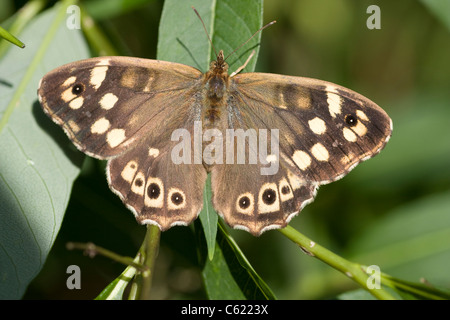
352,270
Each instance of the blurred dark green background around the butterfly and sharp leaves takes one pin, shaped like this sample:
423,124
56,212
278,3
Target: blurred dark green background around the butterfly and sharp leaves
392,211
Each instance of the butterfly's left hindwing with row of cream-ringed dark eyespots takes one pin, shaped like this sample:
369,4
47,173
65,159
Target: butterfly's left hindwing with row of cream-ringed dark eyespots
154,187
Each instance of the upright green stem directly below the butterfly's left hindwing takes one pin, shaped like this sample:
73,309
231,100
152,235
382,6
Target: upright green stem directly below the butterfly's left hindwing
149,252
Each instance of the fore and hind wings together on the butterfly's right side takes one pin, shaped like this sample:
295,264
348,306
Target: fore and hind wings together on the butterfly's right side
325,130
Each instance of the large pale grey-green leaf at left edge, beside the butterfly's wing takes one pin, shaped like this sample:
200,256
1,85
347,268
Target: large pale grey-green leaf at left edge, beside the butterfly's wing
37,162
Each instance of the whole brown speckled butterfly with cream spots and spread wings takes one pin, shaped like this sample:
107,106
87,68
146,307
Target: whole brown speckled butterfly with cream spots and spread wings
164,126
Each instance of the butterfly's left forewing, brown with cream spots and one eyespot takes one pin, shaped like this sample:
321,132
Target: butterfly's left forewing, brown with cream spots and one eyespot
106,104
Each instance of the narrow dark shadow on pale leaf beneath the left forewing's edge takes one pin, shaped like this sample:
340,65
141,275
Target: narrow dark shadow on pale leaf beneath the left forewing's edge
55,131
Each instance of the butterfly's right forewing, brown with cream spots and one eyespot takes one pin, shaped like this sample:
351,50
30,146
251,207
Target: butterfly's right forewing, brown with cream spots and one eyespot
325,129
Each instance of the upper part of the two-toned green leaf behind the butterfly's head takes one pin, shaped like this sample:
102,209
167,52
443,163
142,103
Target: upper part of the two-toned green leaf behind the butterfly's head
229,23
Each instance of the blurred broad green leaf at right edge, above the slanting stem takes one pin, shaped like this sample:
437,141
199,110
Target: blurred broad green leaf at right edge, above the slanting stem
411,242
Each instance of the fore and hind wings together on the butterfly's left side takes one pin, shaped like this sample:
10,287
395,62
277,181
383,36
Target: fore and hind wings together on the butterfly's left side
125,110
